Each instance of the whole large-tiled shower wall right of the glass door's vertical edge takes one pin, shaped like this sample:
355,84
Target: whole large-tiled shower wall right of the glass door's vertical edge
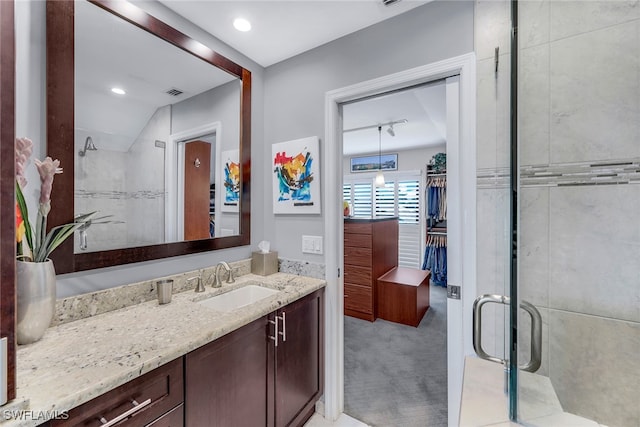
580,240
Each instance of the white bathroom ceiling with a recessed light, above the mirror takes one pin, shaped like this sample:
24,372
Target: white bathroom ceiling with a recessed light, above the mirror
284,28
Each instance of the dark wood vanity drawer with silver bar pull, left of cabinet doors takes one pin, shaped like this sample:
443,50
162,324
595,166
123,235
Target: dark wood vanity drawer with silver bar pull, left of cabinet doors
164,386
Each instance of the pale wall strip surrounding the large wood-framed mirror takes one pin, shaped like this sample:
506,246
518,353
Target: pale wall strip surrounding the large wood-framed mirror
31,122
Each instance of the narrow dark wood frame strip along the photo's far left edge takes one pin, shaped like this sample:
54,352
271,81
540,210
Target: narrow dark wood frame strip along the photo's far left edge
7,190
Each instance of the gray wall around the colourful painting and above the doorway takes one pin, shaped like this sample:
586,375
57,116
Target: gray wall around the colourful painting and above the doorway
295,90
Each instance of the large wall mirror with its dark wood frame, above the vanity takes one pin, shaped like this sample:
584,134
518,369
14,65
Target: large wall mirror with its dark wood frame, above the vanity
157,138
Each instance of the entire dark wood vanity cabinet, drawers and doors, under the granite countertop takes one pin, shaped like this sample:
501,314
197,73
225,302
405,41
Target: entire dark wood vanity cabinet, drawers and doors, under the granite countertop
254,376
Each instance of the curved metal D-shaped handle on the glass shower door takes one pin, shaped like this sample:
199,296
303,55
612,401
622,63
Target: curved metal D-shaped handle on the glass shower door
536,331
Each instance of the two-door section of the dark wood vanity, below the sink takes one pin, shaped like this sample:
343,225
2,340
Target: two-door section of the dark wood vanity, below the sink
245,379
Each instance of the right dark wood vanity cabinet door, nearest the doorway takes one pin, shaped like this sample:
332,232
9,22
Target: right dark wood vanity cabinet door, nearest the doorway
299,360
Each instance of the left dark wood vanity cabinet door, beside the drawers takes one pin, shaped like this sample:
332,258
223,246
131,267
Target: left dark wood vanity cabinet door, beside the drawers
226,380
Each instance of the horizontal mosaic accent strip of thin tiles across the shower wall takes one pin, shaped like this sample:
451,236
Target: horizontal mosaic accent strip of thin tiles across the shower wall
608,172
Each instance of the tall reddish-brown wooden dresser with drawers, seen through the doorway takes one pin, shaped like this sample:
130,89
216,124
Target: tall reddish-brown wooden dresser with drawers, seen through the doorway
370,250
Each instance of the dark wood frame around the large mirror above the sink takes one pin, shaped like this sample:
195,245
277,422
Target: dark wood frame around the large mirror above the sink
60,134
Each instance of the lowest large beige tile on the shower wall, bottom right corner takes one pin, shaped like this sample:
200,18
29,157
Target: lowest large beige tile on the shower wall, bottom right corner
599,377
